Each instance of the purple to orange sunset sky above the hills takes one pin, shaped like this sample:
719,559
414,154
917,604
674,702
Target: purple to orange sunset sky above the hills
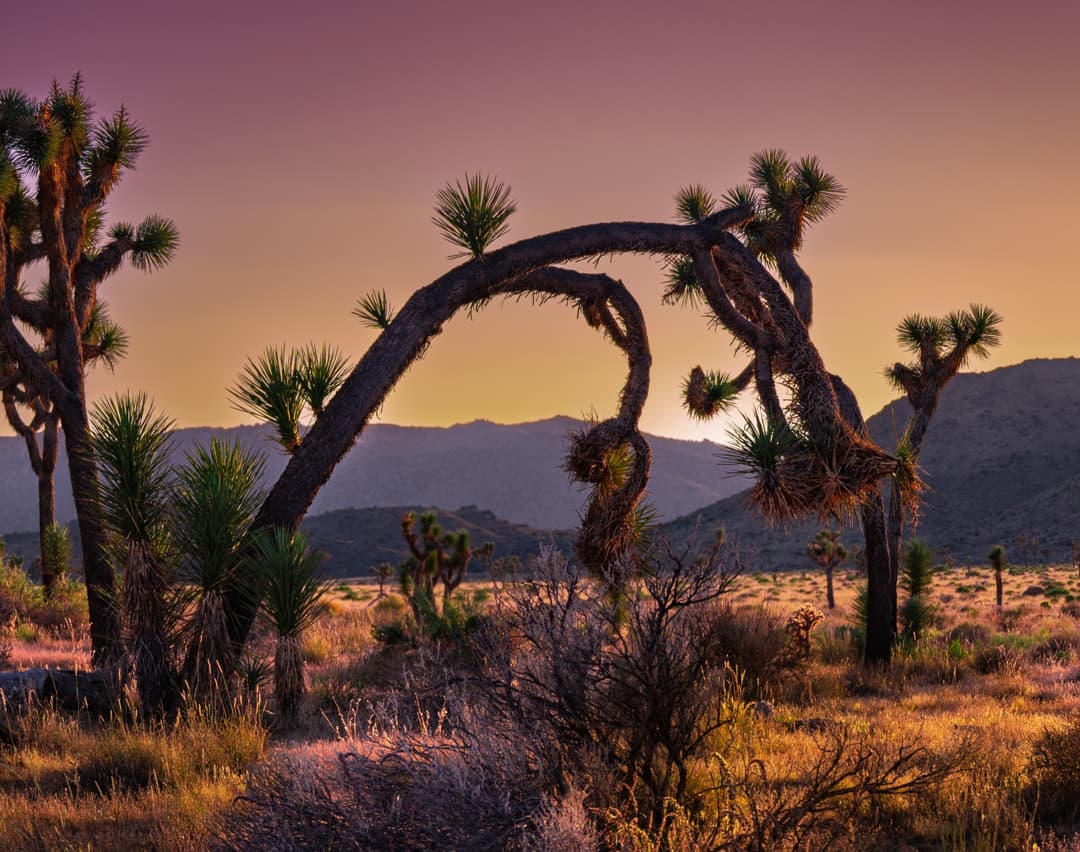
300,148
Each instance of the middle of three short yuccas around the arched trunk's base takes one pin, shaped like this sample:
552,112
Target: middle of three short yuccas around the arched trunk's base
218,496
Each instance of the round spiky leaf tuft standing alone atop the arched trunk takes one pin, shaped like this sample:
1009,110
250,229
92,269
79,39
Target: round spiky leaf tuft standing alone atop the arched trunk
474,217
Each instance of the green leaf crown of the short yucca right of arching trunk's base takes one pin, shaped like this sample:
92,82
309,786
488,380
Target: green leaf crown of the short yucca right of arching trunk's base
294,591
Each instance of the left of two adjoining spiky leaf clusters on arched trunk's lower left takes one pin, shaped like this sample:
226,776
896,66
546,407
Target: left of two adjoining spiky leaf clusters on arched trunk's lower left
269,388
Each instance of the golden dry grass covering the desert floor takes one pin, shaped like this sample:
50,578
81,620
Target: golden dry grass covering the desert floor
997,684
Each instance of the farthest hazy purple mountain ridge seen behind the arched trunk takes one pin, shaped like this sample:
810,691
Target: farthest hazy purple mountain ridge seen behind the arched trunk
515,471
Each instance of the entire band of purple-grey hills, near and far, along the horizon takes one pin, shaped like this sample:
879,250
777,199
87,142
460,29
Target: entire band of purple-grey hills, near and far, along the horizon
1002,462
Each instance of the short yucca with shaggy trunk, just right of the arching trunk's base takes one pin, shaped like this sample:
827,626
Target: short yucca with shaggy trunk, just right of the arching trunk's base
293,601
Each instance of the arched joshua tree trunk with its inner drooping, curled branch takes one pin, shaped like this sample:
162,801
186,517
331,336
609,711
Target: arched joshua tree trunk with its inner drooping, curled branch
604,303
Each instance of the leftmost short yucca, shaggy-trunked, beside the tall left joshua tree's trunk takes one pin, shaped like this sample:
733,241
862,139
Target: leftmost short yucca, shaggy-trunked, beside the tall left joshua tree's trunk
131,442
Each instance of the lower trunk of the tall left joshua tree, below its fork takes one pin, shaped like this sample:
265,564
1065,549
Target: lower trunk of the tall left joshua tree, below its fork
98,571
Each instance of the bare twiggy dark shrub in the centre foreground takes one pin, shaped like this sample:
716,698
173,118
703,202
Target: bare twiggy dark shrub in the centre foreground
627,688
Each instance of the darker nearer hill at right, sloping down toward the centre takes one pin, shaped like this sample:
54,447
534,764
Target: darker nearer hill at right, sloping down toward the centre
1002,461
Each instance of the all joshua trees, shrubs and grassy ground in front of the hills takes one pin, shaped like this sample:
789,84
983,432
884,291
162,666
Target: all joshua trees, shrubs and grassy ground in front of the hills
205,687
